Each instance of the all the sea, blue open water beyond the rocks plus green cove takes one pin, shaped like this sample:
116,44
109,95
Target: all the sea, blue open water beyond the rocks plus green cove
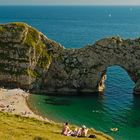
75,27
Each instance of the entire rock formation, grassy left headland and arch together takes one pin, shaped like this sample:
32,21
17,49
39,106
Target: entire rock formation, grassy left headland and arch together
30,60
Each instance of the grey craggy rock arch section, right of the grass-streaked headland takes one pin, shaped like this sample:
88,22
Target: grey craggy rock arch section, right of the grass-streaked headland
84,69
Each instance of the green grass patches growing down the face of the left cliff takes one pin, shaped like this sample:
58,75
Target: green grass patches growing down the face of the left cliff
37,45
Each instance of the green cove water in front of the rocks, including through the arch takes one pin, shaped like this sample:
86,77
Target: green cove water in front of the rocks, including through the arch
117,107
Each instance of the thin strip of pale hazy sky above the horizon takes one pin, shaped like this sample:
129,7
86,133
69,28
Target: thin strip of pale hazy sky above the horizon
69,2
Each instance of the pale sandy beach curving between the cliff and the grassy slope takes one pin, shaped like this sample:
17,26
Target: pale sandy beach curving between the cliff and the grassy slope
15,101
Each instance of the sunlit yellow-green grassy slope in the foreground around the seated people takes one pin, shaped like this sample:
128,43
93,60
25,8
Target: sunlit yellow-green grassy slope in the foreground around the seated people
15,127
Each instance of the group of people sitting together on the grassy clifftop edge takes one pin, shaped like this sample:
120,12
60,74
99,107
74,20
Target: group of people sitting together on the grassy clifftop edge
79,132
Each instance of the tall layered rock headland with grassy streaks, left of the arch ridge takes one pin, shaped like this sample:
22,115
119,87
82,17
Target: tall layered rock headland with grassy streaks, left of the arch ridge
25,56
